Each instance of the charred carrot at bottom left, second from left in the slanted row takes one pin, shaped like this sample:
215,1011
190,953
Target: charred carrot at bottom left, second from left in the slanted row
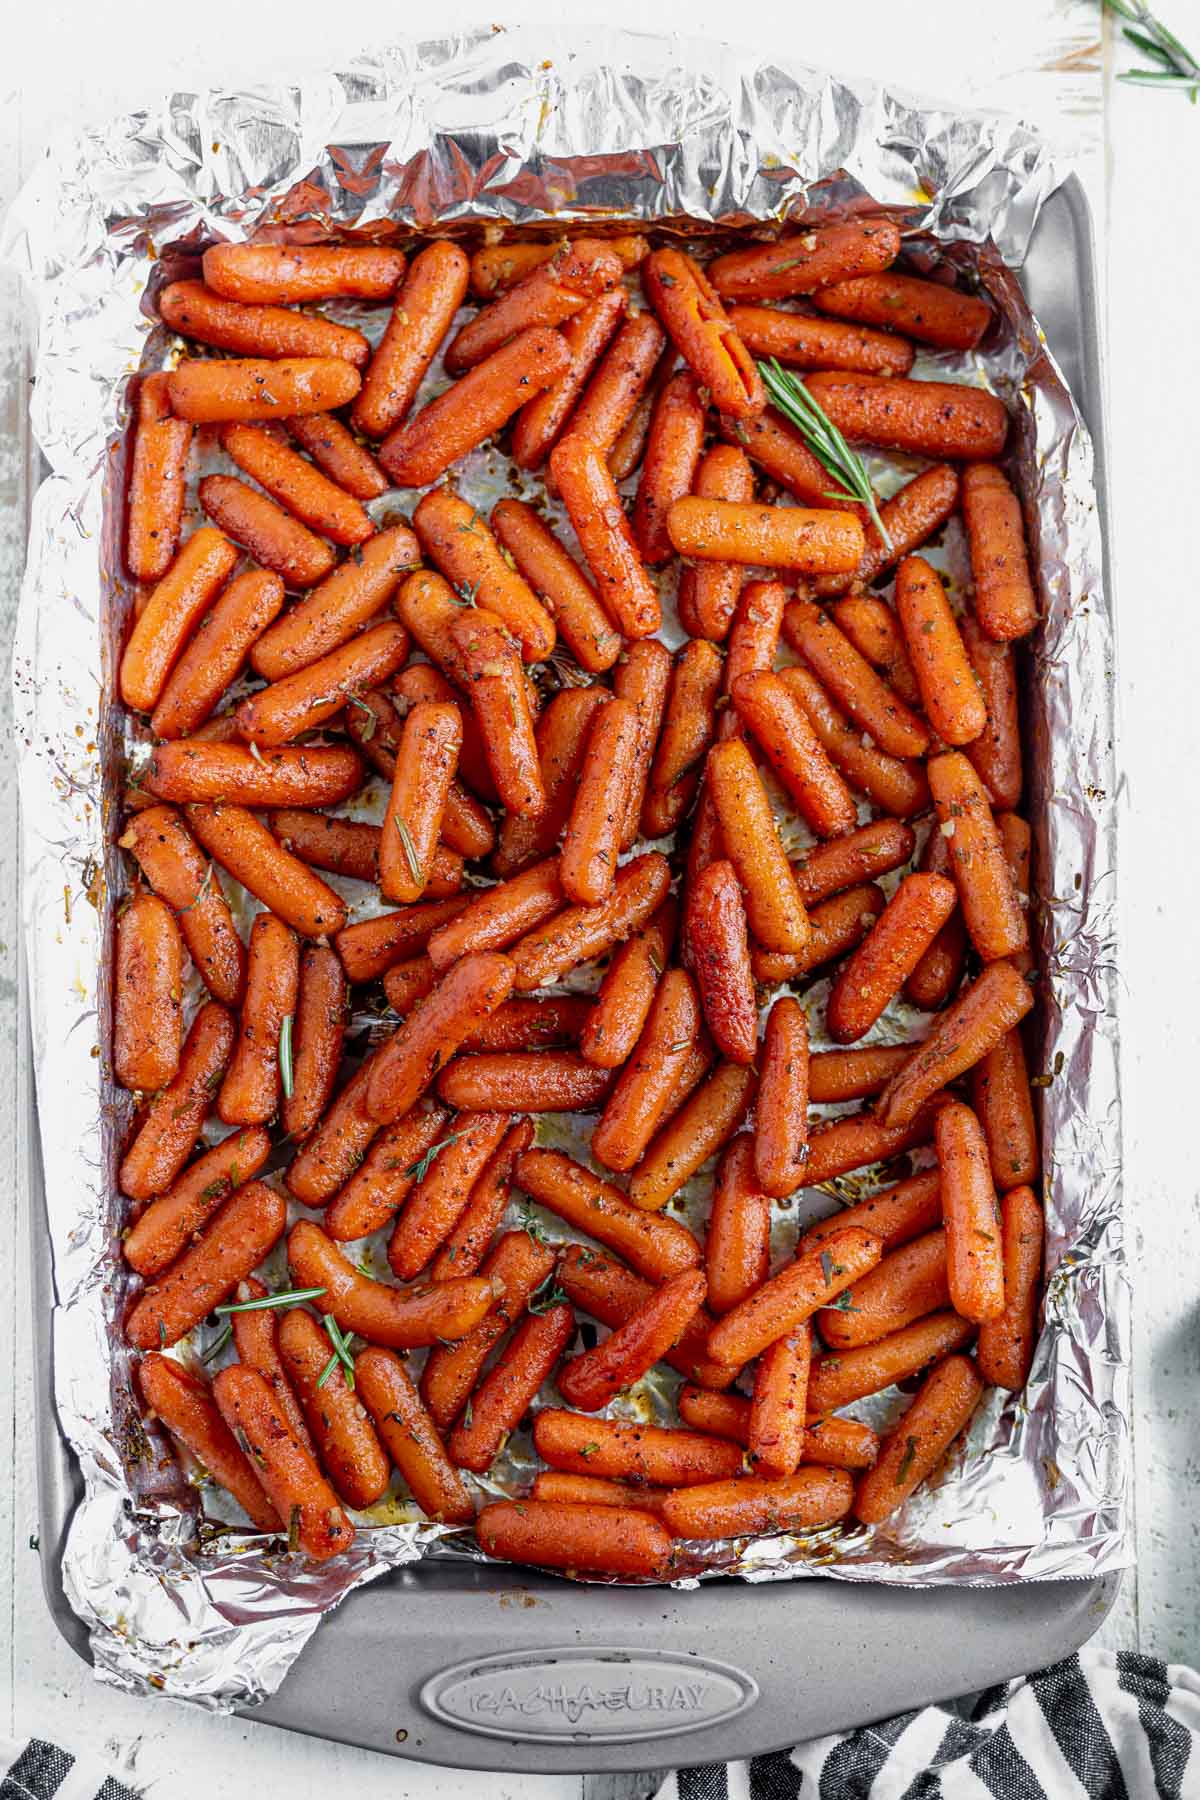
287,1470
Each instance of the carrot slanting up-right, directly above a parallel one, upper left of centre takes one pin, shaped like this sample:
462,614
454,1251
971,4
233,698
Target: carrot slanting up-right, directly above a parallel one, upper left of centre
336,611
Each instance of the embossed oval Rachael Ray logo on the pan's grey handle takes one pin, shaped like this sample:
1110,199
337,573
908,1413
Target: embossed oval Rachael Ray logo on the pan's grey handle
587,1695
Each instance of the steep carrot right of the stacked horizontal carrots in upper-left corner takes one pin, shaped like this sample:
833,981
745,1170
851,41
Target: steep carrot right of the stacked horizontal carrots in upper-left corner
425,305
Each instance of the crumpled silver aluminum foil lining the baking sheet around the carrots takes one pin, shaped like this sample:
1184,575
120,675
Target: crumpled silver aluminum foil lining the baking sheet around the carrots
517,129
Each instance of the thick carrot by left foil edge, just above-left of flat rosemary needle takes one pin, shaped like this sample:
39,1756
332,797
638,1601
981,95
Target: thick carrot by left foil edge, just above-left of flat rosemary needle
235,1241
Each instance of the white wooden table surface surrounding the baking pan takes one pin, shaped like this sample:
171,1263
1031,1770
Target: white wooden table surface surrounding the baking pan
1053,62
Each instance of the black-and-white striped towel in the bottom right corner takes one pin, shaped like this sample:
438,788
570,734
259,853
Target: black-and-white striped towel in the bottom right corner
1097,1727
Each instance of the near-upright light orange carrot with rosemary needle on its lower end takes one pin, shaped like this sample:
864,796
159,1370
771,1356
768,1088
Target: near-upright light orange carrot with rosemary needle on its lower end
425,766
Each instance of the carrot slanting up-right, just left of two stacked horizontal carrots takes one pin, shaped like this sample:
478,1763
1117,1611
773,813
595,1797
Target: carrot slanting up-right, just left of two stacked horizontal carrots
431,1036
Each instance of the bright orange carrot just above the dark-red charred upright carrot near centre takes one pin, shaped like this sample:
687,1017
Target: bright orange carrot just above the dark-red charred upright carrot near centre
751,836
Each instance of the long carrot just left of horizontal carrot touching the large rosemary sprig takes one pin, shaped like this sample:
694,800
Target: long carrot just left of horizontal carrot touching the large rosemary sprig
595,508
